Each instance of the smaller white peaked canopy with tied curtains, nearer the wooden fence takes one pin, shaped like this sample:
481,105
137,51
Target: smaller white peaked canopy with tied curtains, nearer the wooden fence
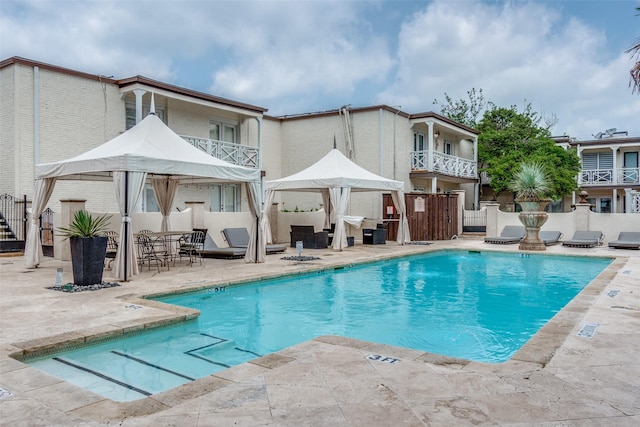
336,177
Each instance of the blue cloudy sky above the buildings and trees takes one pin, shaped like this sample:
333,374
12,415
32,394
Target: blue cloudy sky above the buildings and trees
566,58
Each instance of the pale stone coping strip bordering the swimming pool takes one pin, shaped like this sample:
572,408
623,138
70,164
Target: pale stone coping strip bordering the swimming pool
535,354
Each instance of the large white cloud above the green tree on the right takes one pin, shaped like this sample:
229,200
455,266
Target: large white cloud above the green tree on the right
514,53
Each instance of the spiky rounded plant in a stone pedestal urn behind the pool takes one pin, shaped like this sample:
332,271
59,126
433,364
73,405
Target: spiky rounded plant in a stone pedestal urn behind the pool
531,184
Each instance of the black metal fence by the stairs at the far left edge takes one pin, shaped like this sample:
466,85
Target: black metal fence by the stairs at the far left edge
13,223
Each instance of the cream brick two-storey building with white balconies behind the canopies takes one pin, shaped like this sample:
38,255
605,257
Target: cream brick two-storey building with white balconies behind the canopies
51,113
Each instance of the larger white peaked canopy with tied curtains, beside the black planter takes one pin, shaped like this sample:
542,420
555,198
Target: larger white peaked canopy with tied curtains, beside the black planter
149,150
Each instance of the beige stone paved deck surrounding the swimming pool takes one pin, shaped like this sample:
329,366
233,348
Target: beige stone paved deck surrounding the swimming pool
557,378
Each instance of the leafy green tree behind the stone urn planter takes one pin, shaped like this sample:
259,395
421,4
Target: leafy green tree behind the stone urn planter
509,137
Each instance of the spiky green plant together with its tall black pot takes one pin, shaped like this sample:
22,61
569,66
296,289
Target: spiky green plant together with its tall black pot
88,246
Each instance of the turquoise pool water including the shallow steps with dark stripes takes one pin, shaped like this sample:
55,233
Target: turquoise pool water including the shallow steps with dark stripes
472,305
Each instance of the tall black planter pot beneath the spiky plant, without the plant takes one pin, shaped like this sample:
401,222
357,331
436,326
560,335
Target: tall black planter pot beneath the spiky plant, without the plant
87,259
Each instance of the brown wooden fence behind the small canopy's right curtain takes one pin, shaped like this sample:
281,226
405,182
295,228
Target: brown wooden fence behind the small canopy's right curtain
430,216
